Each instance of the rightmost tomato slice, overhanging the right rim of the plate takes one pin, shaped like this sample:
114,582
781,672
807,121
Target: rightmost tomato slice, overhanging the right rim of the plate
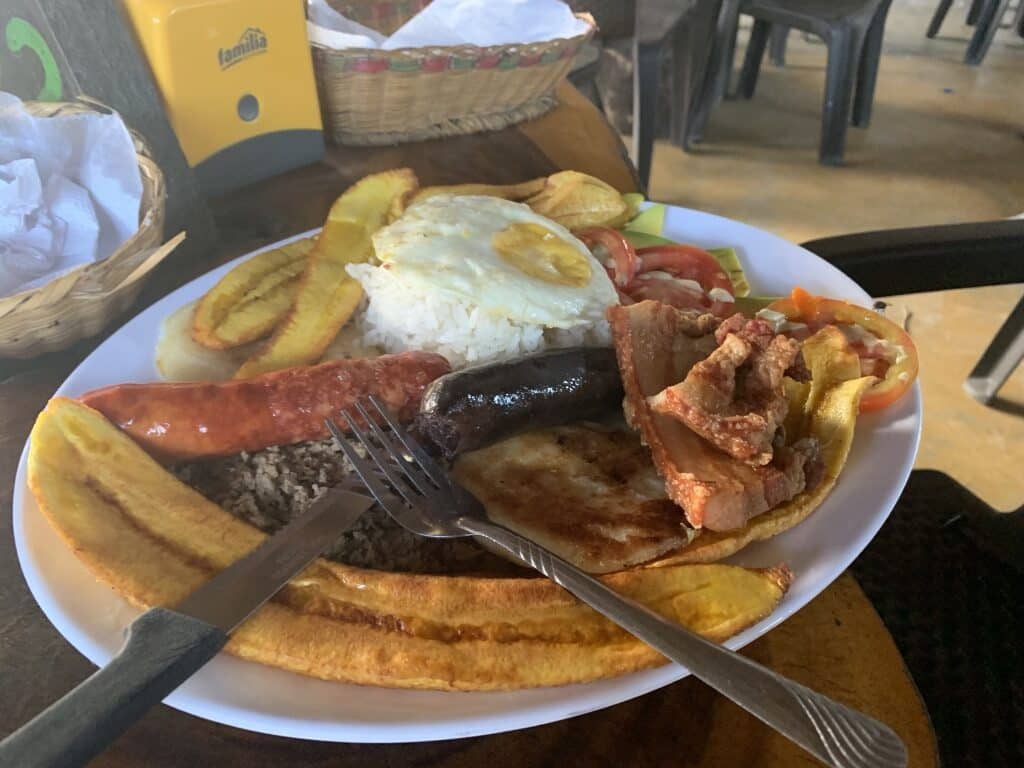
885,349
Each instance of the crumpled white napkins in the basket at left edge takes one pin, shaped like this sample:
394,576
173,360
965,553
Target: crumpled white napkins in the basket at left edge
70,193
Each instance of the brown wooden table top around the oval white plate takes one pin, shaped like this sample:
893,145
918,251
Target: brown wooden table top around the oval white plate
837,645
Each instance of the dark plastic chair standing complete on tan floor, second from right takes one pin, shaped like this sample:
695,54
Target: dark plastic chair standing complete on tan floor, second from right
854,32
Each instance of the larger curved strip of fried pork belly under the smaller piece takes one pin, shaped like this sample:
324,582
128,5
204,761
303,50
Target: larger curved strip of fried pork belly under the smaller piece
657,347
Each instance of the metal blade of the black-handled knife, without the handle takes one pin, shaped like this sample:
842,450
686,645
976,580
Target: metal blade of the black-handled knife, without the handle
229,599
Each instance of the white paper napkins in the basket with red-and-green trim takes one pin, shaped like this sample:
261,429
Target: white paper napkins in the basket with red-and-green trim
453,23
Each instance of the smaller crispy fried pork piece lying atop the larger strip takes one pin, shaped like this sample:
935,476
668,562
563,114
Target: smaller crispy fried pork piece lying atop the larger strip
735,399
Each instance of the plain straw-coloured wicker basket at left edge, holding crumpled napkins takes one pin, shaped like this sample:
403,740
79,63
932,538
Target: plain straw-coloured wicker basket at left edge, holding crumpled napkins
81,303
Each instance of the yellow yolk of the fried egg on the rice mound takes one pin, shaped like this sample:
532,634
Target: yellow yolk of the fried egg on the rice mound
540,253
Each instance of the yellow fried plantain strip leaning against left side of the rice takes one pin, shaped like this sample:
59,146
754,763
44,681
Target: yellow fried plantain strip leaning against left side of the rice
327,295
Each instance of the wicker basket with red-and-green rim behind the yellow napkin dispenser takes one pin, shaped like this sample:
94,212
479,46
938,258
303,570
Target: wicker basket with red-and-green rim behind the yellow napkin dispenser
373,97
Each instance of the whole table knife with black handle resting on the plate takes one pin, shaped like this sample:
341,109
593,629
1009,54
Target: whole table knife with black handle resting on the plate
165,647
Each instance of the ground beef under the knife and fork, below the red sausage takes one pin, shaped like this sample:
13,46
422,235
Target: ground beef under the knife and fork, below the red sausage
270,488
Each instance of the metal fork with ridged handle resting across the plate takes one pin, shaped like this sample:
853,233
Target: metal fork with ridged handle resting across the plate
425,500
